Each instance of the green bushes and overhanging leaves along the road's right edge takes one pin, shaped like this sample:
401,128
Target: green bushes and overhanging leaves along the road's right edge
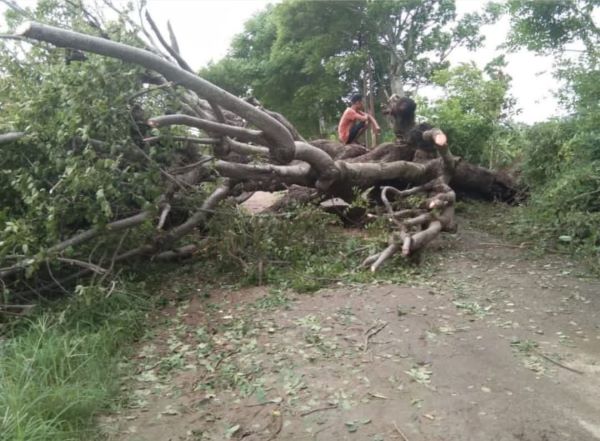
562,157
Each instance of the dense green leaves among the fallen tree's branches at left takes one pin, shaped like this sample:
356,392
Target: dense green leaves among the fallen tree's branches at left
78,166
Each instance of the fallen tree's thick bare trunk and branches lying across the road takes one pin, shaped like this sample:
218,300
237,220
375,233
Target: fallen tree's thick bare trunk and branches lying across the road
255,149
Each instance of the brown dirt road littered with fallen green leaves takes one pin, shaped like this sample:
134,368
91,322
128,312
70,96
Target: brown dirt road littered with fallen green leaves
492,346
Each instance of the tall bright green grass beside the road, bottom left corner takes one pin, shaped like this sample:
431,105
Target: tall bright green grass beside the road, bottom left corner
60,369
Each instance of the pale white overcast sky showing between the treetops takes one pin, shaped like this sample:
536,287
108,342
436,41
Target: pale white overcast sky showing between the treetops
205,28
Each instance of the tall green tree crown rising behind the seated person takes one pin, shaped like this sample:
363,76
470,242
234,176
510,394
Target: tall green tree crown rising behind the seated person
302,58
